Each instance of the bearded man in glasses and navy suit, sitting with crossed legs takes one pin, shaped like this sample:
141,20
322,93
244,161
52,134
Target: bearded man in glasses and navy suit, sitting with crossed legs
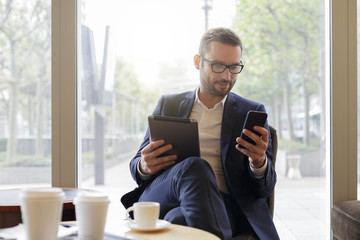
224,191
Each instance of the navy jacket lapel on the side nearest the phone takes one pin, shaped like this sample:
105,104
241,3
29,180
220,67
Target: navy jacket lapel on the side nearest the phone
228,121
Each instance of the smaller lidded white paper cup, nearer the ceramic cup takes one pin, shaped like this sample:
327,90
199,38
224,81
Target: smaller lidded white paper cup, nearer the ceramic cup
91,210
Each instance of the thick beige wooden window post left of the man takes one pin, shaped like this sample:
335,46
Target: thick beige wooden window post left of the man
63,87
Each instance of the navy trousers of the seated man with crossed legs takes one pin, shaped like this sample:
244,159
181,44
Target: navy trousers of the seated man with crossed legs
188,195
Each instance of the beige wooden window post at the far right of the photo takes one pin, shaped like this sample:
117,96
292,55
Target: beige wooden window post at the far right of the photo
343,118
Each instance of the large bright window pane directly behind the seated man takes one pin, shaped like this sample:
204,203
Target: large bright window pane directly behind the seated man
130,55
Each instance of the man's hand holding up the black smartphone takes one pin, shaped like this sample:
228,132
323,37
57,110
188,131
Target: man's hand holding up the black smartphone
256,153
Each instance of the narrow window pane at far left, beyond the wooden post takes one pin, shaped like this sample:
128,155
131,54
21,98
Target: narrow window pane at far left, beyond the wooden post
25,93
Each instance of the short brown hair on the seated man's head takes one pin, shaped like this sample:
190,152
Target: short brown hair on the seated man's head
223,35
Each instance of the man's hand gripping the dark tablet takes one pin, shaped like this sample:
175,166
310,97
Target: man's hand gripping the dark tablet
150,163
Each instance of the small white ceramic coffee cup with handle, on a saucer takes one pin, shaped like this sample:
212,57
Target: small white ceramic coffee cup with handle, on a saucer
146,214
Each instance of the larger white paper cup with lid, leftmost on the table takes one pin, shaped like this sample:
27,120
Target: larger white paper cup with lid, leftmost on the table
41,211
